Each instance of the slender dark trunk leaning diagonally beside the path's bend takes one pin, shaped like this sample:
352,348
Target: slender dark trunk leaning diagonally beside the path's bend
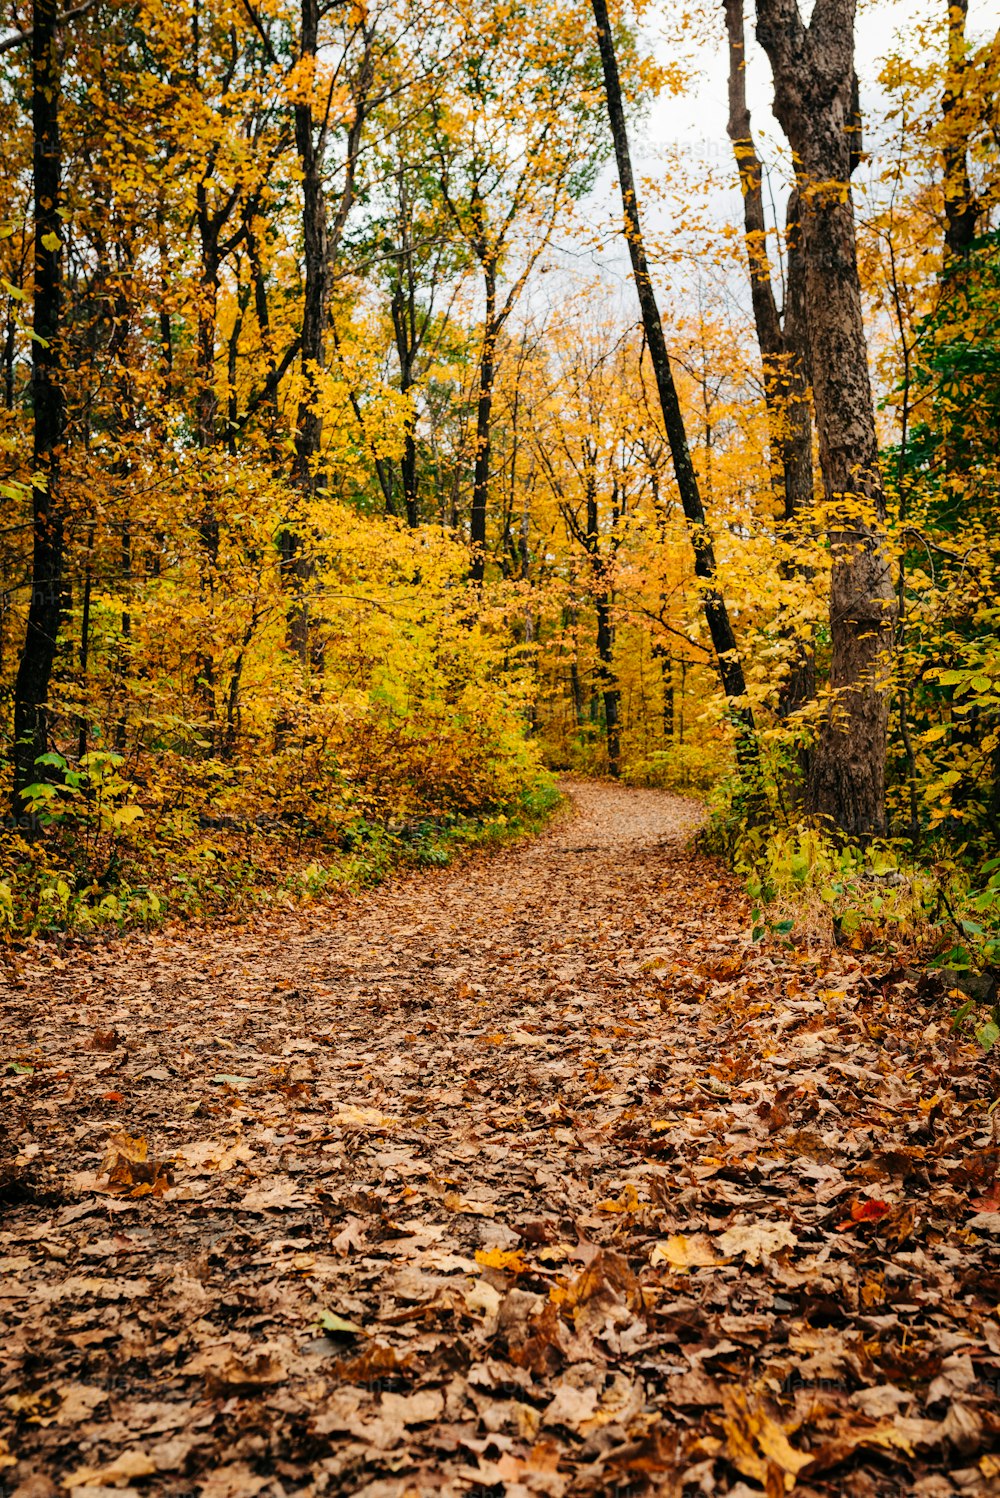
706,570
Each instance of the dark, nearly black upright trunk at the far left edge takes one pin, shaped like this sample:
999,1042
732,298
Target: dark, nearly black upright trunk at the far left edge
38,654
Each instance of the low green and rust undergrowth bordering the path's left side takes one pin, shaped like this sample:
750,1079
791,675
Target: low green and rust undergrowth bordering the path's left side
88,871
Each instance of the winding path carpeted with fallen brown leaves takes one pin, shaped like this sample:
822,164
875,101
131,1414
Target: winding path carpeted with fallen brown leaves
525,1177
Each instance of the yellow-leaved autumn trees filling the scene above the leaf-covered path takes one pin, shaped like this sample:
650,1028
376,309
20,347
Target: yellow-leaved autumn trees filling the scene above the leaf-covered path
388,413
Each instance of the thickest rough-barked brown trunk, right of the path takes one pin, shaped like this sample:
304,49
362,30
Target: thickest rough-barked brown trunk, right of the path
815,101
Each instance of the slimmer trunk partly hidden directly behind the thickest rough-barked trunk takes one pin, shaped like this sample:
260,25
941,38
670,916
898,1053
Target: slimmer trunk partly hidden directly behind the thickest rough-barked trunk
782,339
